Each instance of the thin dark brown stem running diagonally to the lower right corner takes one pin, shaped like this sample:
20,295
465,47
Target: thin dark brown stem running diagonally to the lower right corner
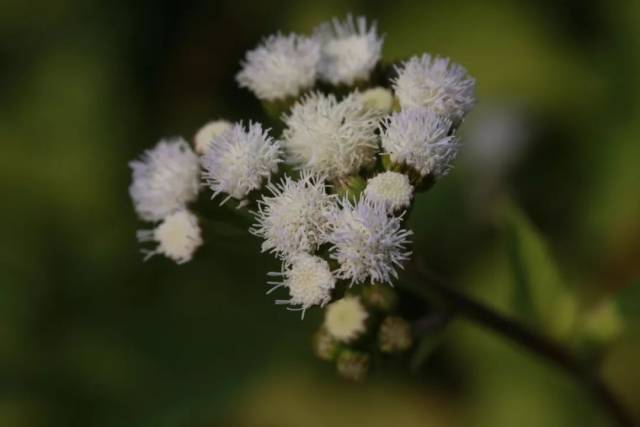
531,341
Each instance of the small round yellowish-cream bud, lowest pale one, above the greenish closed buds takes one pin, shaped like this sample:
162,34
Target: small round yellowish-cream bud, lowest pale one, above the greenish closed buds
345,319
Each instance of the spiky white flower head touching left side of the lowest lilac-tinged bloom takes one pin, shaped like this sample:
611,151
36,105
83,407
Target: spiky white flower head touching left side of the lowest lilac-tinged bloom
295,217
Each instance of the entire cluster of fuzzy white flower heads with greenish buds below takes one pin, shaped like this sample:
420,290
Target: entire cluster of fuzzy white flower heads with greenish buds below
330,193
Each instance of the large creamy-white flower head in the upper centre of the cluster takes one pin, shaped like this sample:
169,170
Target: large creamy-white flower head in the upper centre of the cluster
330,137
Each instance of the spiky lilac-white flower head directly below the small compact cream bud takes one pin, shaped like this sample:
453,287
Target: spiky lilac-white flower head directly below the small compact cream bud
368,243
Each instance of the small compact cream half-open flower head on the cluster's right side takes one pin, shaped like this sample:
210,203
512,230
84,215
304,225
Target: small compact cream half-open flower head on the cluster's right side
392,189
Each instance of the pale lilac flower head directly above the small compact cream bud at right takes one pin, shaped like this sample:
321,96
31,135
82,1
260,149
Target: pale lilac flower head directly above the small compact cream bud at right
420,138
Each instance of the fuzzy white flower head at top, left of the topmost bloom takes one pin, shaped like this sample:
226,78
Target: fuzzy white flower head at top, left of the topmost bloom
280,67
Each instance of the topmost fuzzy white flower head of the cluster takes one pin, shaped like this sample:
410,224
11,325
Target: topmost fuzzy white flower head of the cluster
350,50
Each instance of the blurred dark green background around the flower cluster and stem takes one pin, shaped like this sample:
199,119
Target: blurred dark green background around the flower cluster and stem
540,219
